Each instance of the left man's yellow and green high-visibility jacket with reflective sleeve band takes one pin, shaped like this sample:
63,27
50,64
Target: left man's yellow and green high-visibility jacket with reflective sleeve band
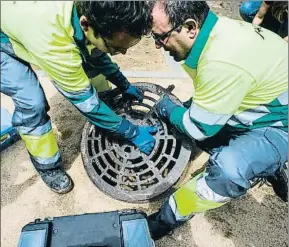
48,34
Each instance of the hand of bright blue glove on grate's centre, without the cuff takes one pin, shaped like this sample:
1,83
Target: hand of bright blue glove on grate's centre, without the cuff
144,139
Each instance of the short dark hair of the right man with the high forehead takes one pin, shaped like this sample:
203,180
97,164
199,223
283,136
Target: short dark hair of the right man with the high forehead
179,11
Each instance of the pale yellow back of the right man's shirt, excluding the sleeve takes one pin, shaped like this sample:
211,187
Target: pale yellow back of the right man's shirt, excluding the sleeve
261,53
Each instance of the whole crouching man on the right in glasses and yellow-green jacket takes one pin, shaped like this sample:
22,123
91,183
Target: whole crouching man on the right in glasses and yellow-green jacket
239,110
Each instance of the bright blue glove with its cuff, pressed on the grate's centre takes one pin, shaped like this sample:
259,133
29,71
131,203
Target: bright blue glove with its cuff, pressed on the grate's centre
138,135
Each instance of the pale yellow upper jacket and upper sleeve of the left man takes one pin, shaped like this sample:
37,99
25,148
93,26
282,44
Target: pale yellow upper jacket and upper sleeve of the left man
42,33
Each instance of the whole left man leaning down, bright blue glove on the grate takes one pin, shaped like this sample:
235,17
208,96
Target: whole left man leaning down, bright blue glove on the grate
57,36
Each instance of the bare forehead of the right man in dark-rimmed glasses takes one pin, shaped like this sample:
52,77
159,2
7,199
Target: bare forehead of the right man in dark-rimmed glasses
160,19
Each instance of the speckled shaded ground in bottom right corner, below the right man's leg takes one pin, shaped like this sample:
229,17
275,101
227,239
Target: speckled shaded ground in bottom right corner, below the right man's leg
248,222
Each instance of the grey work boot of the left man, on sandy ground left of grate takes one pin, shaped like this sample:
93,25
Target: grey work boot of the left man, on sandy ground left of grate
57,180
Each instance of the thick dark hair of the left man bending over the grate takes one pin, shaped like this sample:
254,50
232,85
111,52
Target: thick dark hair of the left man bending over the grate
108,17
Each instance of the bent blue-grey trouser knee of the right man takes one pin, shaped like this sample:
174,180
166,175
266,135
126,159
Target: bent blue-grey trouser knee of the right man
226,176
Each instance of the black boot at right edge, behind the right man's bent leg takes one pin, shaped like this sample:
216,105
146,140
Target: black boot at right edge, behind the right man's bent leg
279,183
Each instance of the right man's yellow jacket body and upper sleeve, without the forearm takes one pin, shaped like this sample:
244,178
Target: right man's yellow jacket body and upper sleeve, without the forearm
243,71
